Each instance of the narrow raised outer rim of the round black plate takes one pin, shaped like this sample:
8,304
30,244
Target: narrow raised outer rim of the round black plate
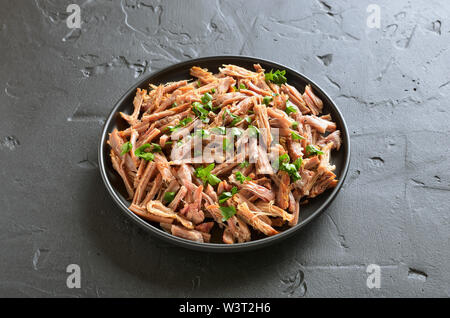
215,247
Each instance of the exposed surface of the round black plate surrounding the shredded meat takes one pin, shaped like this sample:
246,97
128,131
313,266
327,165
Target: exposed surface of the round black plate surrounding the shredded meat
180,71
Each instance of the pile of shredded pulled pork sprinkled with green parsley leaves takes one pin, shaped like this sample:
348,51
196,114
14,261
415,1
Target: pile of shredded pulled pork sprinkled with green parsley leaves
254,194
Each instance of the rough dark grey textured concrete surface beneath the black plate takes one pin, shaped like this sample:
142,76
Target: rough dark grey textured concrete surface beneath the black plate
392,85
